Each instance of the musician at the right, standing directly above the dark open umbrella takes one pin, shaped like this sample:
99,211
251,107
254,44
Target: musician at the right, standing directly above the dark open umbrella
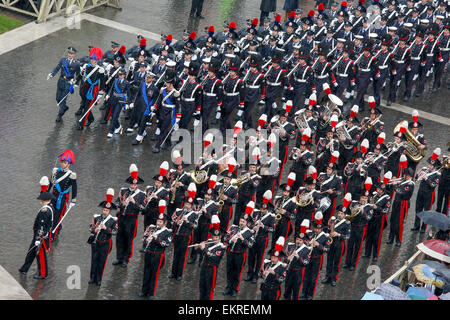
429,180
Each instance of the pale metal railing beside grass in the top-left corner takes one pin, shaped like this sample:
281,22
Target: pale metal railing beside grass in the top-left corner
45,9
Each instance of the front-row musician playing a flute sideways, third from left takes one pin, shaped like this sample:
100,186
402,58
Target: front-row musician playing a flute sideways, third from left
212,255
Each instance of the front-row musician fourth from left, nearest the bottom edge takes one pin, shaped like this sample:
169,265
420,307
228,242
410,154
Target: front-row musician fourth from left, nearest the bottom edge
273,273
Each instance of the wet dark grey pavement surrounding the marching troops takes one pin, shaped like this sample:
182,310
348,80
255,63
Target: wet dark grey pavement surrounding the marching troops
30,140
